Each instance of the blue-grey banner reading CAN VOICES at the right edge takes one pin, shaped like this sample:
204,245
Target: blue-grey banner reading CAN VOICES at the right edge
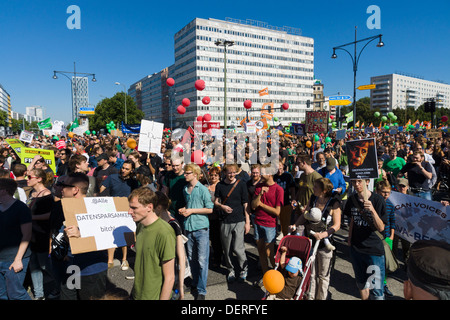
420,219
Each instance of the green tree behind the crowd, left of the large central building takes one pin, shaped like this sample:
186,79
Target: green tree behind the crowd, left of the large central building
113,109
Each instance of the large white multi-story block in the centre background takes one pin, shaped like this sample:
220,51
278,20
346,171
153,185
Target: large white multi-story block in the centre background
265,64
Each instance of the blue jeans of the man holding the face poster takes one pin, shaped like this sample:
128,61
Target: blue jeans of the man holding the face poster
369,273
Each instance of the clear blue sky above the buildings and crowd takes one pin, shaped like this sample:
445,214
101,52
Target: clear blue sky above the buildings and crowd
125,41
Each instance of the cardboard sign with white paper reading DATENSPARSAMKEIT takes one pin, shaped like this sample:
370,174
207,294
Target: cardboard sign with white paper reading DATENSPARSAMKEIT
104,223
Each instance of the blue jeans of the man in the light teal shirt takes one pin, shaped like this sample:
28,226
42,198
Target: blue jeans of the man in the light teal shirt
198,257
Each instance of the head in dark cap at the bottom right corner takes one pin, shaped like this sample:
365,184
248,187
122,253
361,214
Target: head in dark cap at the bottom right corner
428,271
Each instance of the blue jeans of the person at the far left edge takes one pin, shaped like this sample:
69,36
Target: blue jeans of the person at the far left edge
11,283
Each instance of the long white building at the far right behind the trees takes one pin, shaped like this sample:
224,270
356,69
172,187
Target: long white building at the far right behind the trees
401,91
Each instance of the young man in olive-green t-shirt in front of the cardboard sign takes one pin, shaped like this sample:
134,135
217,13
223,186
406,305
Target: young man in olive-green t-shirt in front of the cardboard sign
154,268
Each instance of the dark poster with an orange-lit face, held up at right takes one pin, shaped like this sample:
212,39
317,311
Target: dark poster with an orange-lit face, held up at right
362,159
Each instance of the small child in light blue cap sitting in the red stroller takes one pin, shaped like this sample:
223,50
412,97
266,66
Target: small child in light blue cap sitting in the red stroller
292,273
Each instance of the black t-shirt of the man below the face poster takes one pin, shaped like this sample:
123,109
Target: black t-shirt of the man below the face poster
364,239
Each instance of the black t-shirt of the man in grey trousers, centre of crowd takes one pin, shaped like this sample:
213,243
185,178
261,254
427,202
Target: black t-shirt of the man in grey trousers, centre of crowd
237,198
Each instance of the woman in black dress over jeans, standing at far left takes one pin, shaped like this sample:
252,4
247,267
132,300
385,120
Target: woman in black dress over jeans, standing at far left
40,204
